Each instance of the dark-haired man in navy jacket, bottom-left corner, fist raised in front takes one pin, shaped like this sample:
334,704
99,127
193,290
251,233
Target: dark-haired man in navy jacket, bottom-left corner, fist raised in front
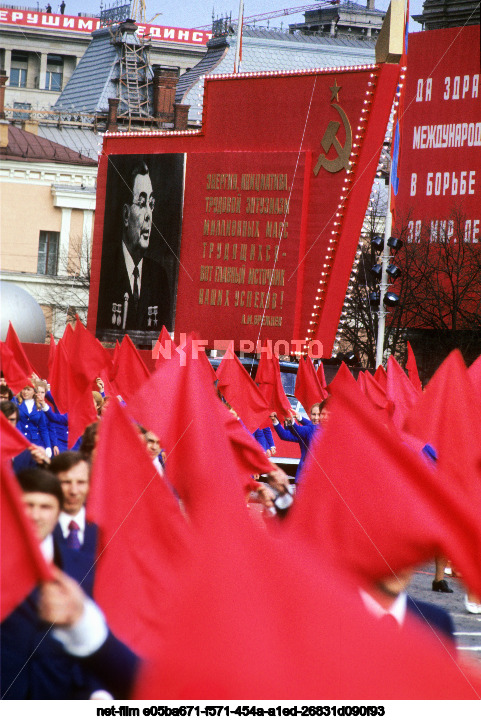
36,659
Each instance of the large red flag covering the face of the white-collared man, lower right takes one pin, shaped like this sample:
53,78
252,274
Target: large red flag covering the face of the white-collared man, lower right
374,506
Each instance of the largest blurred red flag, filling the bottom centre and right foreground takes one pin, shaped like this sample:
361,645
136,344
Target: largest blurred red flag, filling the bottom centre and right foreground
315,636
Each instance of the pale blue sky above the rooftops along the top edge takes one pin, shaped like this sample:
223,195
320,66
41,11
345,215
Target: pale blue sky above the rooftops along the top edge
198,13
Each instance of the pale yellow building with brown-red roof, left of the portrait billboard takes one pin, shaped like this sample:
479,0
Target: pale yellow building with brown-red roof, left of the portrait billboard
47,205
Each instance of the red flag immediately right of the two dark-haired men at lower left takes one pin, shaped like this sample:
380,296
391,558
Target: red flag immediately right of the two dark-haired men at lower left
142,534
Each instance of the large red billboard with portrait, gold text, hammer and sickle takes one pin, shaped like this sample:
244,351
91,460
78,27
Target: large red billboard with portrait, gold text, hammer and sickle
275,188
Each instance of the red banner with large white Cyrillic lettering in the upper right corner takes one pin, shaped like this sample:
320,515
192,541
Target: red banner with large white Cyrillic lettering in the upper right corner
440,162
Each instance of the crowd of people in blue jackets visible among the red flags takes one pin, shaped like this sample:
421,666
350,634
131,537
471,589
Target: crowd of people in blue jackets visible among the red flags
57,642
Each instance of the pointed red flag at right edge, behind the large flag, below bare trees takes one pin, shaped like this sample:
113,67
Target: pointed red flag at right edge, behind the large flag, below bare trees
447,417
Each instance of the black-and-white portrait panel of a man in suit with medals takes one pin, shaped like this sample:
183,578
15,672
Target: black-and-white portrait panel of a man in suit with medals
141,241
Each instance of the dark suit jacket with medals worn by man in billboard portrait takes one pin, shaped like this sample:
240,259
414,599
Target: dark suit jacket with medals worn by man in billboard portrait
154,292
